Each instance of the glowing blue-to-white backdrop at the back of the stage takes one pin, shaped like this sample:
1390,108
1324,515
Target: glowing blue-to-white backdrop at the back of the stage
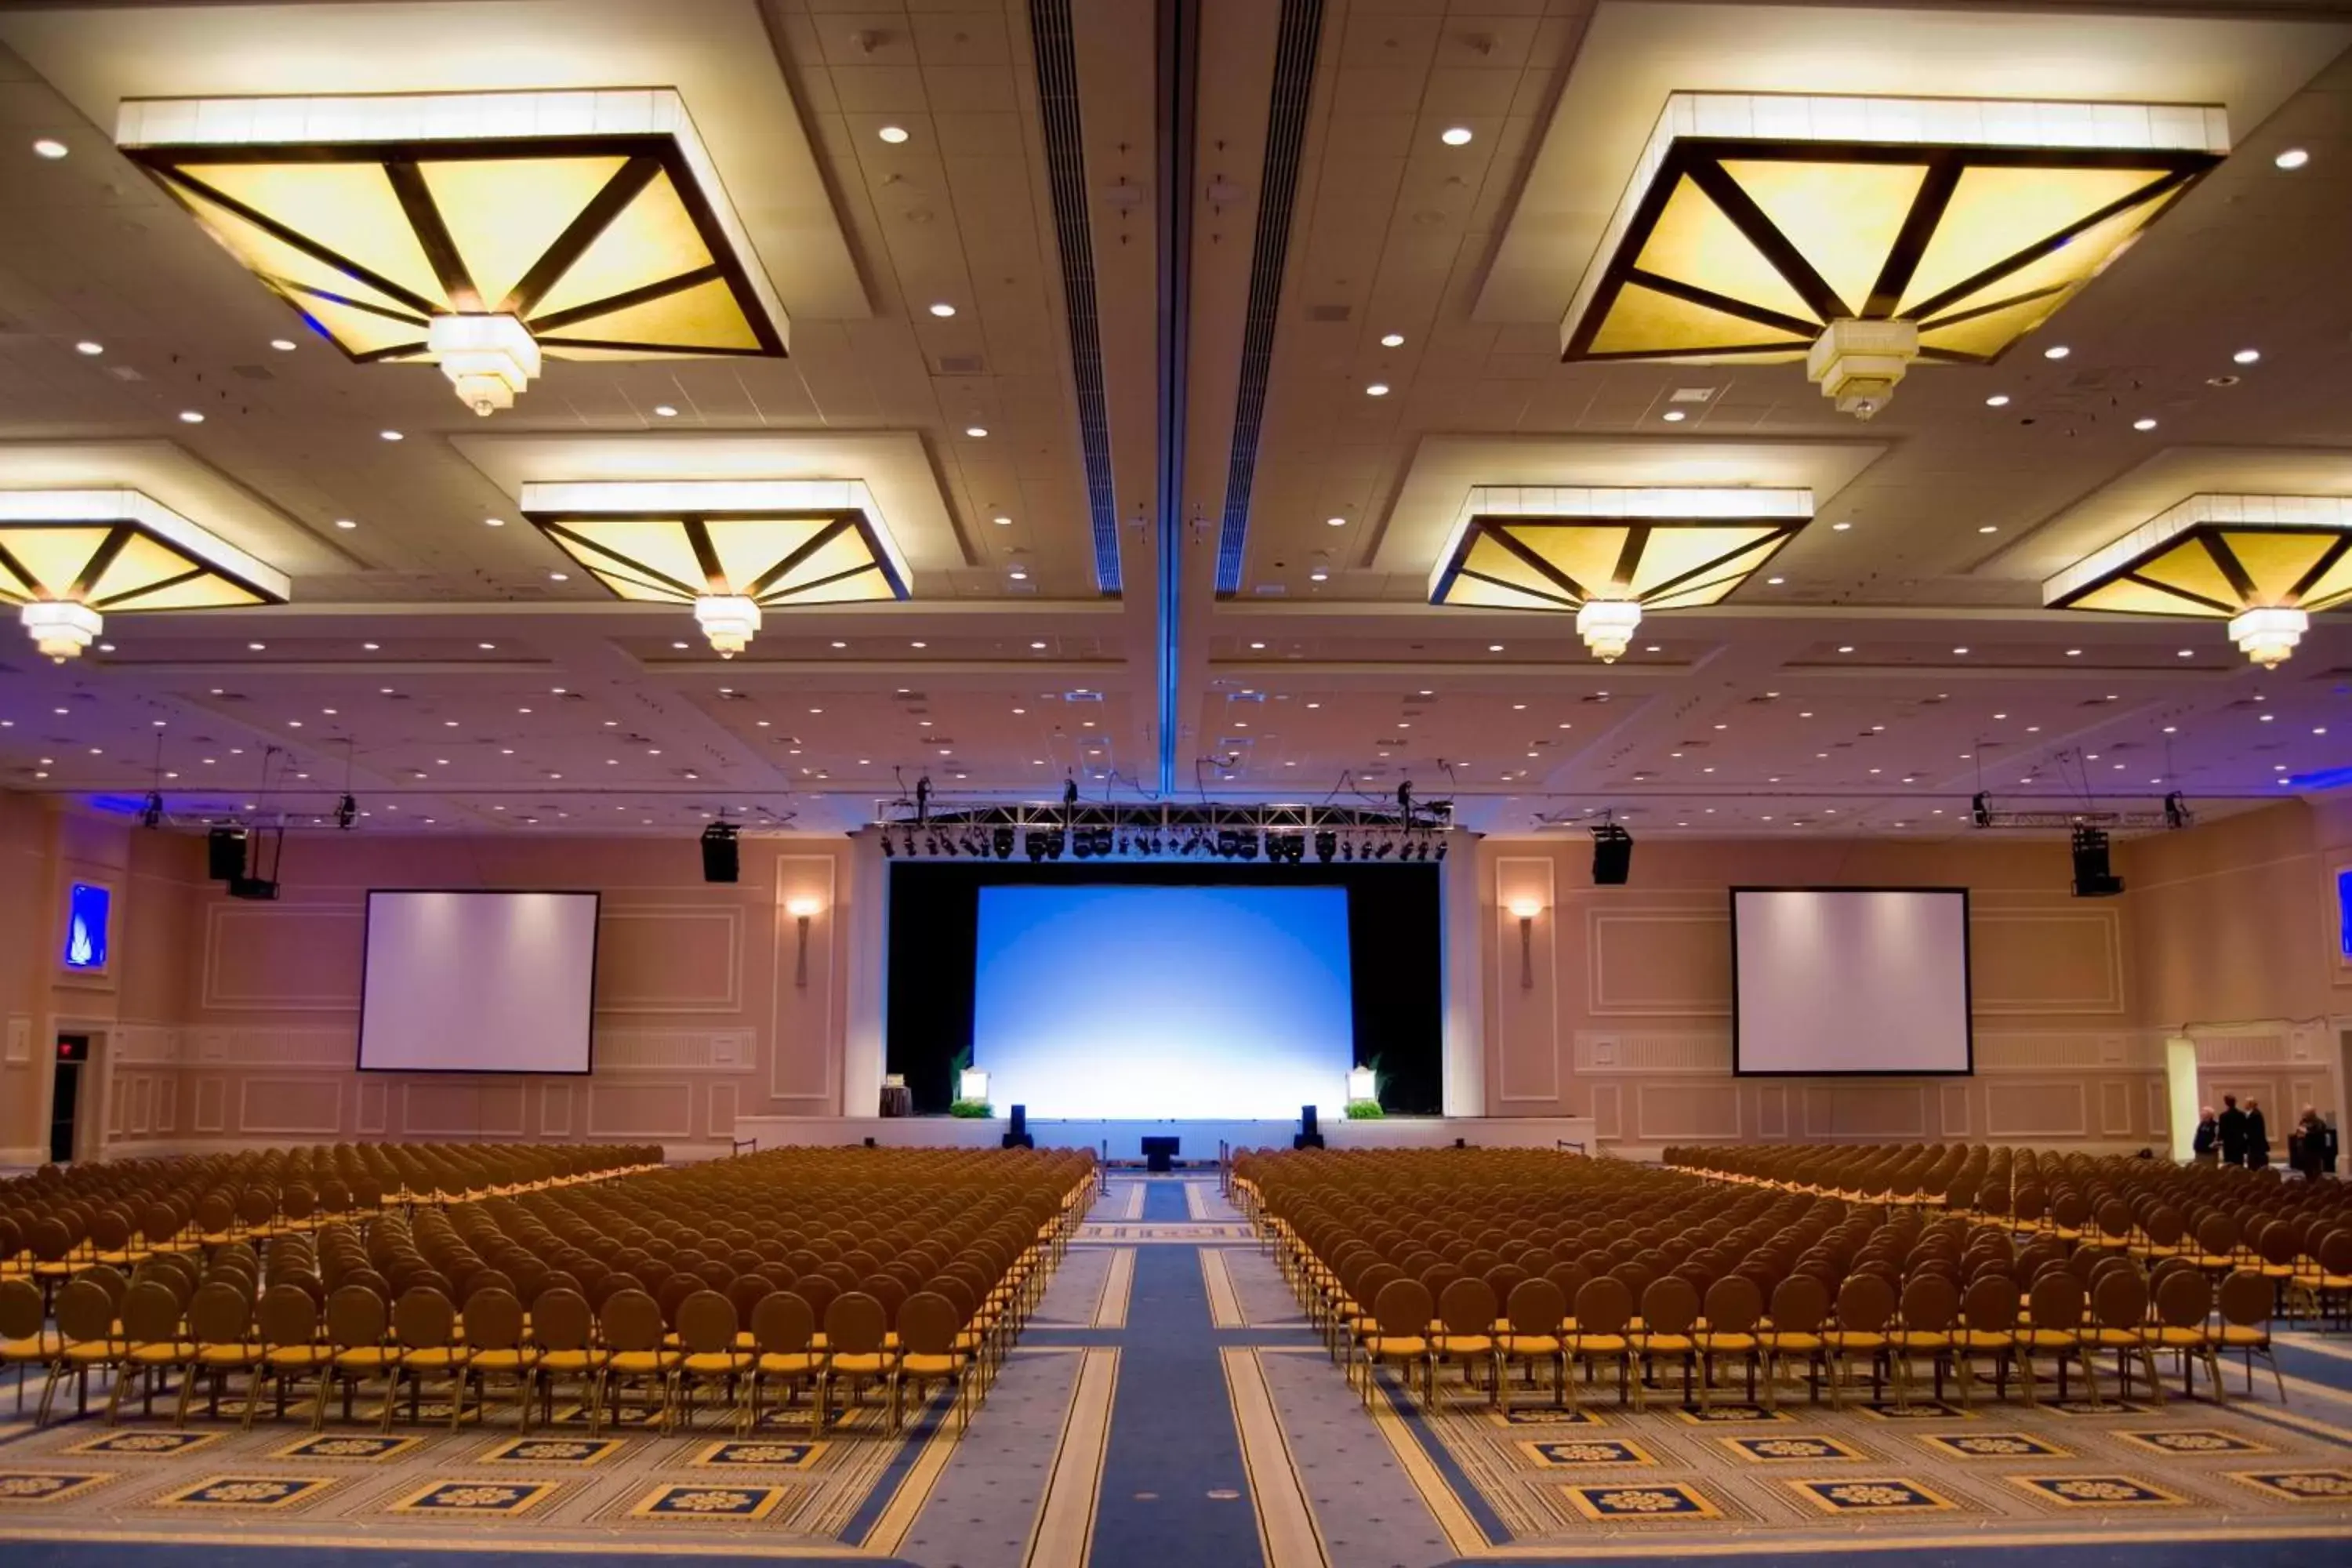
1163,1000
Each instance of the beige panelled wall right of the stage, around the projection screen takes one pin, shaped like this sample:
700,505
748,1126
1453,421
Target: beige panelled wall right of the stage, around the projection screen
2226,927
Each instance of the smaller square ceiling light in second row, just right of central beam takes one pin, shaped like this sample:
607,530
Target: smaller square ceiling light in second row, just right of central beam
1612,554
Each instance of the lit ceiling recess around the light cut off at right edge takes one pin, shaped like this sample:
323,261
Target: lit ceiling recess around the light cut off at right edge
2160,485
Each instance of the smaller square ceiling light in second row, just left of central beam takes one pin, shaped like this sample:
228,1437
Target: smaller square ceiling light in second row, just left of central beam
730,549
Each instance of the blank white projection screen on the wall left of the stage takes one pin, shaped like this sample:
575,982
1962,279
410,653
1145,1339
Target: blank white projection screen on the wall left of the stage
479,984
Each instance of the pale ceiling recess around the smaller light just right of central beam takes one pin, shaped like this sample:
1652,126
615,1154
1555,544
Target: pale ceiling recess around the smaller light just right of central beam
1448,469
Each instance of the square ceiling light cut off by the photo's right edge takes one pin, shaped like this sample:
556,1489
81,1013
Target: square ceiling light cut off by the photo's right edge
2259,563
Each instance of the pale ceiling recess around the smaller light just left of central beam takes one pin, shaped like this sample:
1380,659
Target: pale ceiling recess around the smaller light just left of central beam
895,467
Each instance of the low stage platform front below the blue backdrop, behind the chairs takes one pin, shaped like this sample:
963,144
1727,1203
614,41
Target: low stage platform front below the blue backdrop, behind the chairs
1201,1141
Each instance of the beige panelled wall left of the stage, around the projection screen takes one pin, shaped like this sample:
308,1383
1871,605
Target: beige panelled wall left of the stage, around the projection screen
239,1021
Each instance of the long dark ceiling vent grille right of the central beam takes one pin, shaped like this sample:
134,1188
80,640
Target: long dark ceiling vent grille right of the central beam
1285,133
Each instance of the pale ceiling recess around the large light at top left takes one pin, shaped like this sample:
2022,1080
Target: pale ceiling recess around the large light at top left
714,53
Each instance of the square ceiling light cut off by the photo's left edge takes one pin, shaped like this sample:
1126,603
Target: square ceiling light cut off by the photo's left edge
69,558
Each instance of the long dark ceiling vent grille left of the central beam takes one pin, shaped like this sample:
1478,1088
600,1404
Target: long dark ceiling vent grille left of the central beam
1067,177
